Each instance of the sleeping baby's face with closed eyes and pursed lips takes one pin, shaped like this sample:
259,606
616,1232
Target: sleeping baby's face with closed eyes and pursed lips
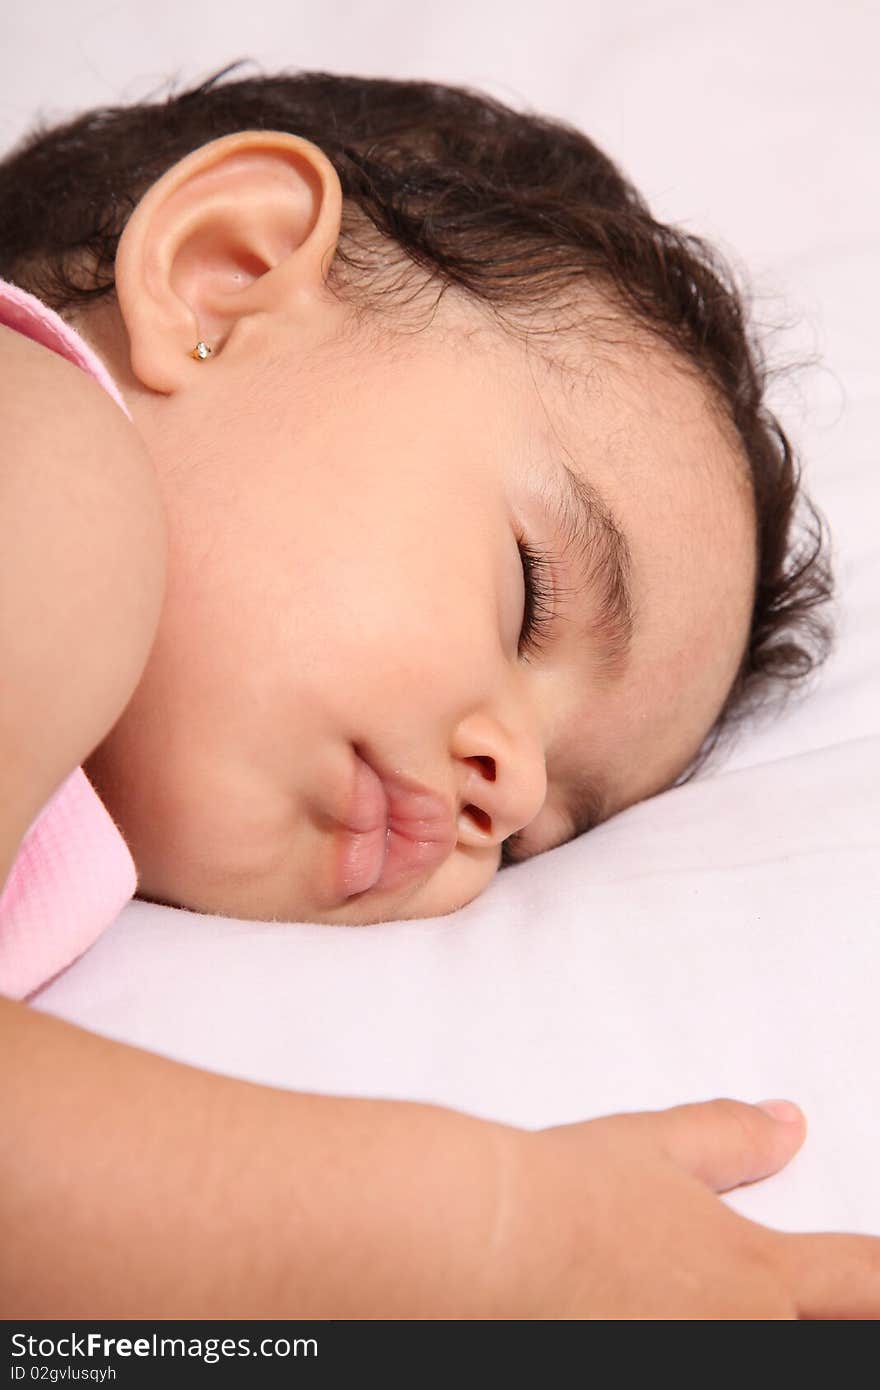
345,575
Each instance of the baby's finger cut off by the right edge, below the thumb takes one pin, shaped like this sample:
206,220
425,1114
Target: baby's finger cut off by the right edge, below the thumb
833,1277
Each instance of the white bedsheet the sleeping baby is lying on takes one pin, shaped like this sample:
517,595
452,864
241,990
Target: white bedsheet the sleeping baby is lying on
722,939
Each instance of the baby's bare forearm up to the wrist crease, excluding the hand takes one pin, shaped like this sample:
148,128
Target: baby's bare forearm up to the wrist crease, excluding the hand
137,1188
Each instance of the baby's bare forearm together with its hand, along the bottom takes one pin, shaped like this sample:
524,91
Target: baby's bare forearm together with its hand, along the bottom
133,1186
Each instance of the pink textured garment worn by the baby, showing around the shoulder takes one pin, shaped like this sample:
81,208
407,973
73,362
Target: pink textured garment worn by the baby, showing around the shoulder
74,872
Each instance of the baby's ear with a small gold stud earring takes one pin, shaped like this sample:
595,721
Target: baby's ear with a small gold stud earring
245,226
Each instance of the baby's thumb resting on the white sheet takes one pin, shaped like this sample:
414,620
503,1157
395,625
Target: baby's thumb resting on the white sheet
728,1143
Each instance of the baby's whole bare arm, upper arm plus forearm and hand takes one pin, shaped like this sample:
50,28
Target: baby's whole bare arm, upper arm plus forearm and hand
134,1186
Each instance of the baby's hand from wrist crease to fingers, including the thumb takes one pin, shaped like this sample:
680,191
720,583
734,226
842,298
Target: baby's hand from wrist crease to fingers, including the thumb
617,1218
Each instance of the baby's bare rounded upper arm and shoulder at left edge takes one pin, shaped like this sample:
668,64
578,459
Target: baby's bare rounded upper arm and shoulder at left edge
83,573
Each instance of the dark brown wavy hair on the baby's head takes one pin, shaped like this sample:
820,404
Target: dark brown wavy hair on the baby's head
516,211
